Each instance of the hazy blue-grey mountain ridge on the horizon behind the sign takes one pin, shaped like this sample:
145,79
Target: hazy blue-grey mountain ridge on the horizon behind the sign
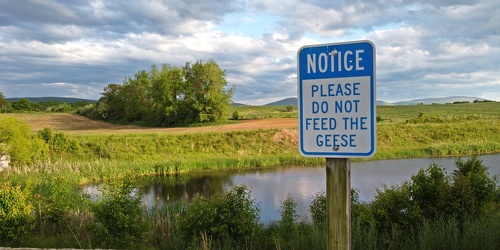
434,100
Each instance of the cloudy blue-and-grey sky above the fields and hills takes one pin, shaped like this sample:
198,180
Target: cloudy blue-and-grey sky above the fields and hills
73,48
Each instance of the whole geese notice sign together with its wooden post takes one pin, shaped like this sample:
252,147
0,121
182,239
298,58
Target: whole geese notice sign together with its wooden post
337,120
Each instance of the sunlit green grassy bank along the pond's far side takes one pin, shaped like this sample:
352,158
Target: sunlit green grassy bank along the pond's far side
403,132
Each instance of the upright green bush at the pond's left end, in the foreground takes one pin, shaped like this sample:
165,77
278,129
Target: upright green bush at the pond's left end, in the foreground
118,217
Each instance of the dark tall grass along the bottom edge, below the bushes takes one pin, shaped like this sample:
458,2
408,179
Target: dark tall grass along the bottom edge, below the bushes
162,232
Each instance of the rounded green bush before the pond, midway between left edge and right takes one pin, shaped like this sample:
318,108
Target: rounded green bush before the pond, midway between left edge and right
232,216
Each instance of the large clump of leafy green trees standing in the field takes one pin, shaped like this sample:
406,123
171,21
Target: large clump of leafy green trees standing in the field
166,96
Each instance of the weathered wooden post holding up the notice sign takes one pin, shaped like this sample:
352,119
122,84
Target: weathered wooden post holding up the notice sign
338,203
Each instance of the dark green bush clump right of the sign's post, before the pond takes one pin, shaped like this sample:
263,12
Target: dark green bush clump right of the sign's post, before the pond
431,195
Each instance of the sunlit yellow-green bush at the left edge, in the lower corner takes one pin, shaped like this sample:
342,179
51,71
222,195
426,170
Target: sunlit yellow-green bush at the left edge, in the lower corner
15,212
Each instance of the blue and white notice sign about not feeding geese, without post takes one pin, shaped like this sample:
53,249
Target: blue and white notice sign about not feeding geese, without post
336,93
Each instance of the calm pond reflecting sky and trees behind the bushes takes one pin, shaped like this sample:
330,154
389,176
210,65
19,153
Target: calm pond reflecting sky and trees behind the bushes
271,186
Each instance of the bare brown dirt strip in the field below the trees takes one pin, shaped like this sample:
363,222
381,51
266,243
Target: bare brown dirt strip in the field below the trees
75,124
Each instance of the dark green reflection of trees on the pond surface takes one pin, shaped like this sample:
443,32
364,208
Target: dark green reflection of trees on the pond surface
183,187
